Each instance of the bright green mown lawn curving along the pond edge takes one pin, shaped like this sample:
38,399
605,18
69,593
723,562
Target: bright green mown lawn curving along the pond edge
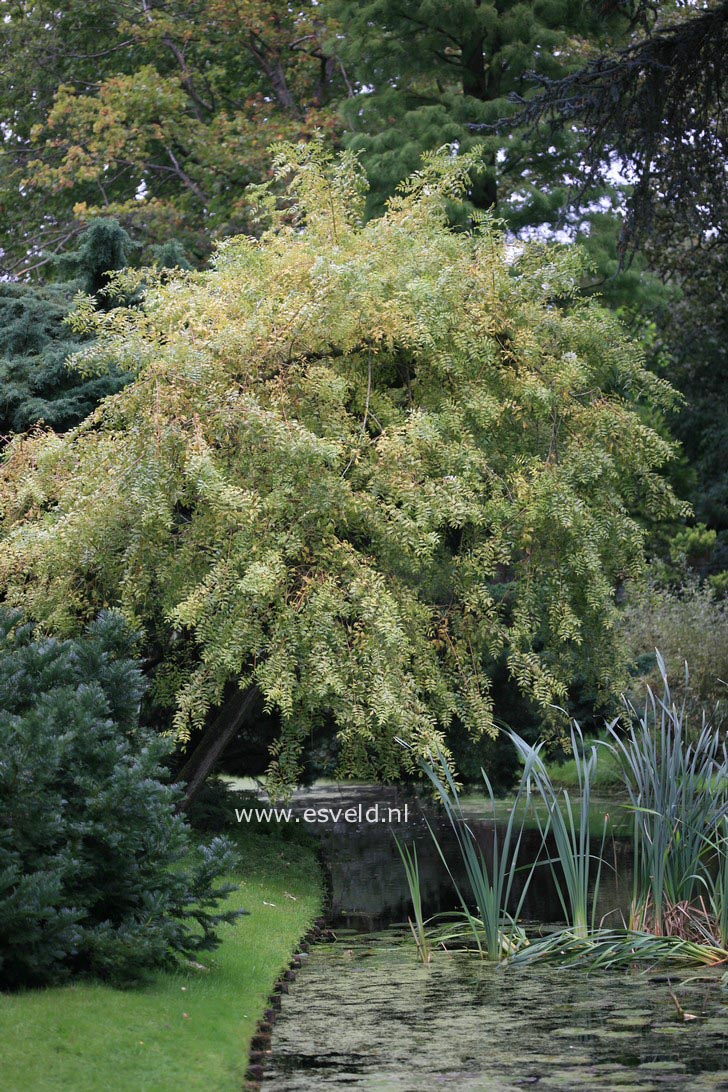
186,1029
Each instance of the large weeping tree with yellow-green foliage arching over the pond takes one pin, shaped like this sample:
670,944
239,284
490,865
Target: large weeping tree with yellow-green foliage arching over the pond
356,468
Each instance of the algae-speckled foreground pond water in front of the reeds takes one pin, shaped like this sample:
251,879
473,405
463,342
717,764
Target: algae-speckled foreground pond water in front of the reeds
364,1015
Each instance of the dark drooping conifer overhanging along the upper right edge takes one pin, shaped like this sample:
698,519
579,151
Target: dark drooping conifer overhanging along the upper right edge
659,108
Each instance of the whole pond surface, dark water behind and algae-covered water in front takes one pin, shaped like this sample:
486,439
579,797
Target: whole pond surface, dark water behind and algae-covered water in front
365,1015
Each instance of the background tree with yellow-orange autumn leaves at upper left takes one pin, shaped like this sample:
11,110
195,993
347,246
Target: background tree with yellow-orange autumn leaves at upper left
156,112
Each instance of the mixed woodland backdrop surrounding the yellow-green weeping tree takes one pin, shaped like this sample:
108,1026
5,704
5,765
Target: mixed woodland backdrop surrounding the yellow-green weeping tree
136,135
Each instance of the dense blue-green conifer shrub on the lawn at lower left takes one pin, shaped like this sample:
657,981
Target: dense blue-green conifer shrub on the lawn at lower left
98,874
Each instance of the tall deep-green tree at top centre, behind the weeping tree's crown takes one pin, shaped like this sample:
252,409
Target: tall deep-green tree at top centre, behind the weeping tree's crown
429,72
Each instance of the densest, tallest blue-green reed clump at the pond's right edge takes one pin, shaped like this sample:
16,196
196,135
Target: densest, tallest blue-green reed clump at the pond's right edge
678,791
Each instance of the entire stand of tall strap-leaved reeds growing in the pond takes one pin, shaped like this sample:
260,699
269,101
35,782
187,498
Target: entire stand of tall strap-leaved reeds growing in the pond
678,793
